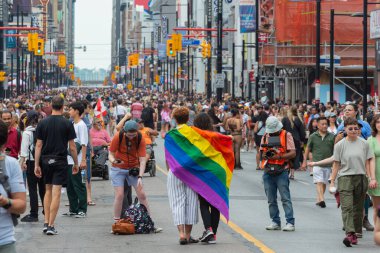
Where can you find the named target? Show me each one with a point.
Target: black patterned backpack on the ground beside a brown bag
(140, 217)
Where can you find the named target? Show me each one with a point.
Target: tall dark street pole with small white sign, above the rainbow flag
(219, 44)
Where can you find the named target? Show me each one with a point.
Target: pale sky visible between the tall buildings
(93, 20)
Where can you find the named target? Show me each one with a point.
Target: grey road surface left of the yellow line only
(92, 234)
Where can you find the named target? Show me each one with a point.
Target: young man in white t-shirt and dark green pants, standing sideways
(76, 186)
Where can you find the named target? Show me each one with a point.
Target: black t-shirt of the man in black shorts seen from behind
(55, 133)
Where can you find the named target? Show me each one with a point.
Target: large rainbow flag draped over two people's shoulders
(204, 161)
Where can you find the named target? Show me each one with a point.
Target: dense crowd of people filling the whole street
(49, 140)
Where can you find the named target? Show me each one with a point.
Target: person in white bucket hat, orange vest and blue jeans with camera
(276, 149)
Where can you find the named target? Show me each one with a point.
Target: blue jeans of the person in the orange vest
(271, 184)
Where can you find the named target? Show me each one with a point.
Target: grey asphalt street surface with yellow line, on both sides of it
(317, 230)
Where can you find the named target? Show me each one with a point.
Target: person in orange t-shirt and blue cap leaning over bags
(127, 156)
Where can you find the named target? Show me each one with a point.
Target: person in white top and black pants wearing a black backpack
(27, 163)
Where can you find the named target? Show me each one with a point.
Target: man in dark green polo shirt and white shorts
(321, 145)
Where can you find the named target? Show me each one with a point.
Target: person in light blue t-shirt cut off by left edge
(12, 194)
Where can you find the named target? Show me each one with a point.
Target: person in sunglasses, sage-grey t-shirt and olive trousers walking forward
(352, 155)
